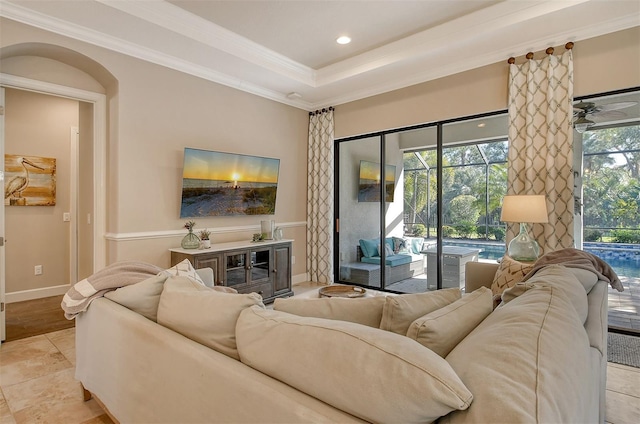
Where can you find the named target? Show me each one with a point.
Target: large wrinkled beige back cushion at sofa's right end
(528, 361)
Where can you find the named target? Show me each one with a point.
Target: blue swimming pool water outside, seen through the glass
(625, 259)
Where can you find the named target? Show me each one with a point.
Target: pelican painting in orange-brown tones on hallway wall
(29, 181)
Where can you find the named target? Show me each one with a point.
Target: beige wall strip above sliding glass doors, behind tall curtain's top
(601, 64)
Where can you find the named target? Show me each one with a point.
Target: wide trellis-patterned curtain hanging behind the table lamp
(540, 158)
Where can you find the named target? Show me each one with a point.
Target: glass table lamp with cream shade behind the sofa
(524, 209)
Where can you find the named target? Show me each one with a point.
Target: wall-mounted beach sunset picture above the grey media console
(225, 184)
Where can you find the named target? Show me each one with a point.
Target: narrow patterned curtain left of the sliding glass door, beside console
(320, 197)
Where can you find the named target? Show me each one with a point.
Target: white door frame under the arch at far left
(99, 102)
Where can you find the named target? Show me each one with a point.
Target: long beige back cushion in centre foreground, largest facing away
(375, 375)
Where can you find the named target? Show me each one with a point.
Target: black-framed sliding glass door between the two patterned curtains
(415, 205)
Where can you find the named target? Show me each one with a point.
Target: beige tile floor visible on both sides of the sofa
(37, 385)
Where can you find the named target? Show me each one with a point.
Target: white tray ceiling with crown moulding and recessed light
(274, 48)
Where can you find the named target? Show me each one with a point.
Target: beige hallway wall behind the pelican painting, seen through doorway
(39, 125)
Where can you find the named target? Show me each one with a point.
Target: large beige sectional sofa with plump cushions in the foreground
(221, 357)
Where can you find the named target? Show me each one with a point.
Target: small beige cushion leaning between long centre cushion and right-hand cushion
(442, 329)
